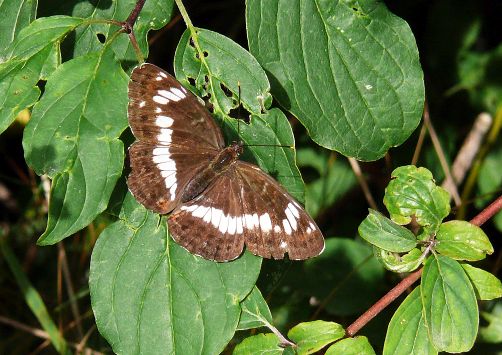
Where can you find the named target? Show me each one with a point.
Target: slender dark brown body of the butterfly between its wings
(201, 180)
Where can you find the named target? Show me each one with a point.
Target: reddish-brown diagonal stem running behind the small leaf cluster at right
(360, 322)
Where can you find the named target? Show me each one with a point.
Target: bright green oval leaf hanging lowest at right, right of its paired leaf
(450, 307)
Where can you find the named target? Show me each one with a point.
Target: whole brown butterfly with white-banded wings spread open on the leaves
(217, 203)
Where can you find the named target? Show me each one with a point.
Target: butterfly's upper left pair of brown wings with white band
(176, 138)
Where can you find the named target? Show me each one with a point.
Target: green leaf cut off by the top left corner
(16, 15)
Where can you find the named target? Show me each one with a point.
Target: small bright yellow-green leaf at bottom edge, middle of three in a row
(313, 336)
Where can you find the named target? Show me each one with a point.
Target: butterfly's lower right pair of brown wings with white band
(246, 206)
